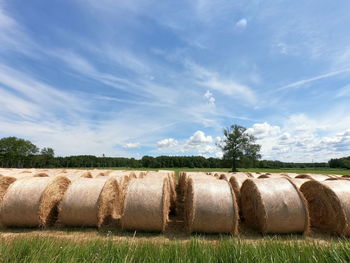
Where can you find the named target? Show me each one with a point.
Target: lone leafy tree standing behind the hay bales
(238, 145)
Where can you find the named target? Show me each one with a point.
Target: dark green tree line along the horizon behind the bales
(20, 153)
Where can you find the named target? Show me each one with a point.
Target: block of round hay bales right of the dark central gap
(266, 202)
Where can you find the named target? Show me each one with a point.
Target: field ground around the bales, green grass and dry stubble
(109, 244)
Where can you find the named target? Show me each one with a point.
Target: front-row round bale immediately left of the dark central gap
(146, 205)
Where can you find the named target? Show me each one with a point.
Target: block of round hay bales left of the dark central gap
(31, 198)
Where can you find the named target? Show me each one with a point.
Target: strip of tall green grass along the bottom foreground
(39, 249)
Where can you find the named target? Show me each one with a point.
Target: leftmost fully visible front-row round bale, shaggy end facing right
(33, 201)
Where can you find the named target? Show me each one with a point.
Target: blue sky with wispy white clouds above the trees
(143, 77)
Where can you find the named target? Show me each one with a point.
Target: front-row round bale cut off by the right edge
(329, 205)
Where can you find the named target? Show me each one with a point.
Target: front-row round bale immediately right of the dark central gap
(211, 207)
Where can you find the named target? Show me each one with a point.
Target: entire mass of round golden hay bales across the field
(212, 202)
